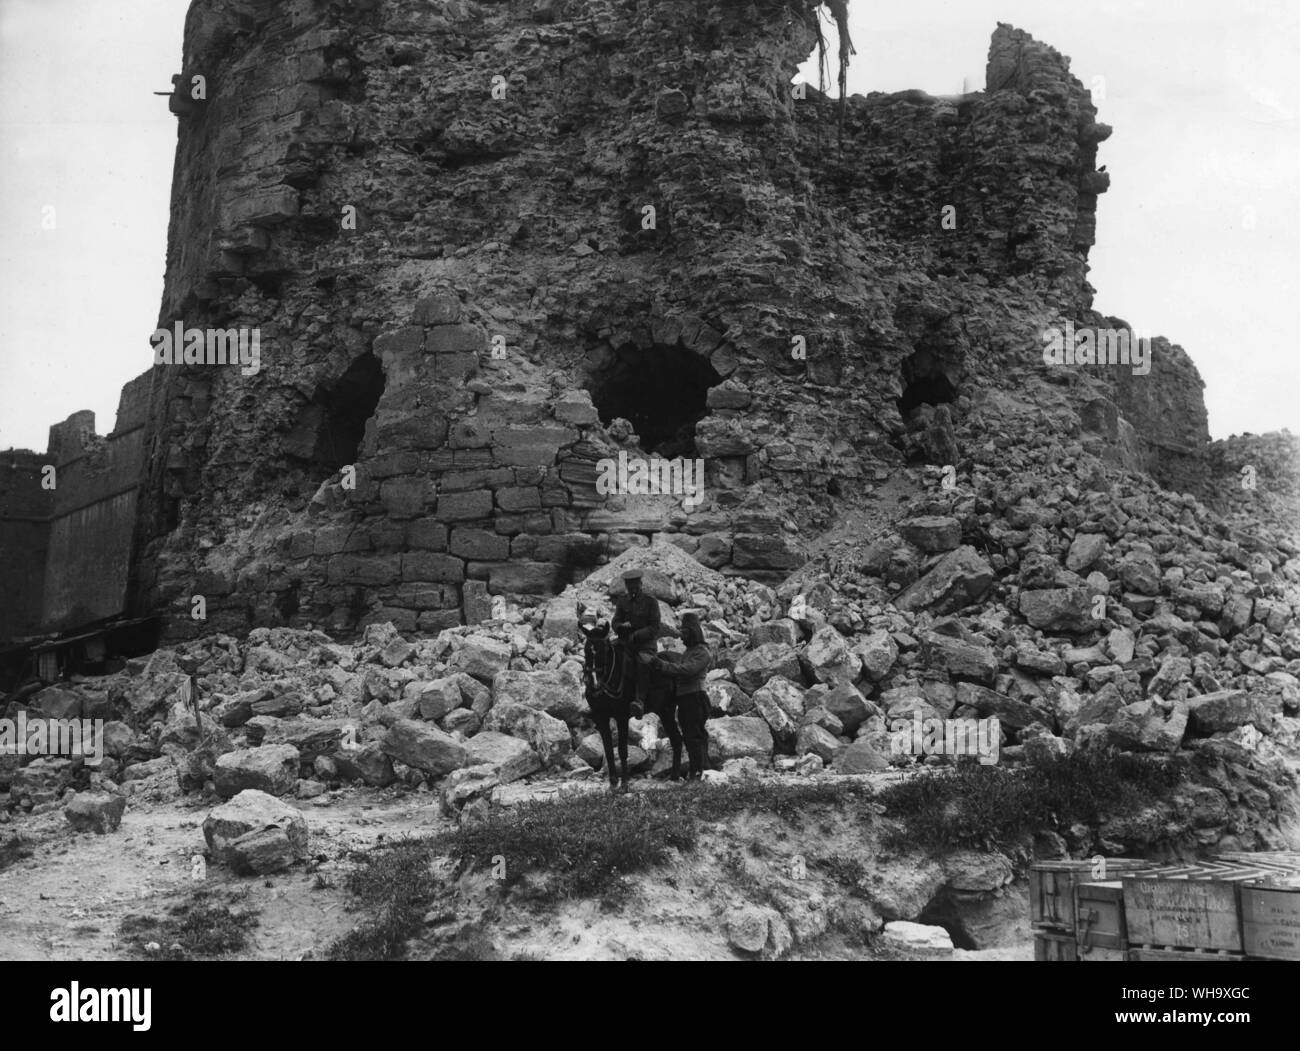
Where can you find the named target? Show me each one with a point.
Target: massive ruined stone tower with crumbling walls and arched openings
(474, 236)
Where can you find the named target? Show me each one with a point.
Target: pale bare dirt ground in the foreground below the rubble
(67, 901)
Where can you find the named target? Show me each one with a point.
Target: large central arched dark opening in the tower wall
(662, 392)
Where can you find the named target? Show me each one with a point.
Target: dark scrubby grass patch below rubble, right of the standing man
(991, 807)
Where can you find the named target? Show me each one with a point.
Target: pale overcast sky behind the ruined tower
(1199, 239)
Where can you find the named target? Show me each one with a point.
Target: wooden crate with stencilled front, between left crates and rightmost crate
(1195, 907)
